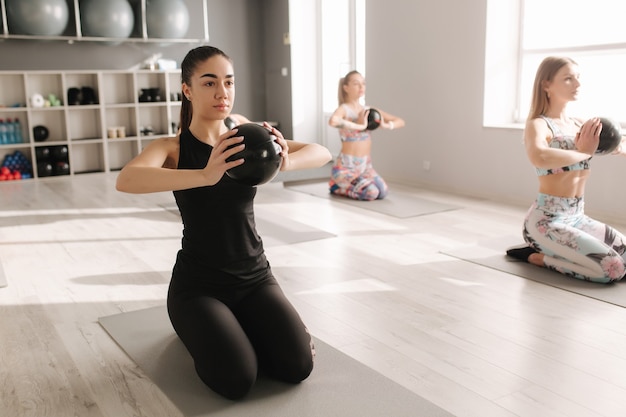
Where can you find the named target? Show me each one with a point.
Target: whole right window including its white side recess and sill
(521, 33)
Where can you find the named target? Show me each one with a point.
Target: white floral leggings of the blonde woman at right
(573, 243)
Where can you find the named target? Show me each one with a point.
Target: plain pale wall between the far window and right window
(425, 61)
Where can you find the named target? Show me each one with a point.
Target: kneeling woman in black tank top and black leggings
(223, 301)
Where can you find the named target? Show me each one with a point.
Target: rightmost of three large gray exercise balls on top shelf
(167, 19)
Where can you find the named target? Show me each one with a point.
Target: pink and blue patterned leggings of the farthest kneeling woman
(354, 177)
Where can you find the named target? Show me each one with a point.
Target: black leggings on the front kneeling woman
(230, 343)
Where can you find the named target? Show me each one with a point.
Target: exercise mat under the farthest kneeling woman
(398, 203)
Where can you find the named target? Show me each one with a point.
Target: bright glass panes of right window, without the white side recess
(592, 35)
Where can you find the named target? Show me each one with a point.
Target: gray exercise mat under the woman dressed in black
(338, 386)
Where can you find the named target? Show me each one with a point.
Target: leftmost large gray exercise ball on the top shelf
(37, 17)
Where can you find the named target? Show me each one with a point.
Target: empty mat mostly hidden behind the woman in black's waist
(276, 230)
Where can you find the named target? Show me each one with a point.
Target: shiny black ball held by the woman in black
(262, 158)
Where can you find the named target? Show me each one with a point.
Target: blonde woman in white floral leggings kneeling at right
(558, 233)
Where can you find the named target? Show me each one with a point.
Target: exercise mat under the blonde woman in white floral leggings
(492, 254)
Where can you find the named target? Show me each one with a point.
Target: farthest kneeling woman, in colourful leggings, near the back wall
(352, 174)
